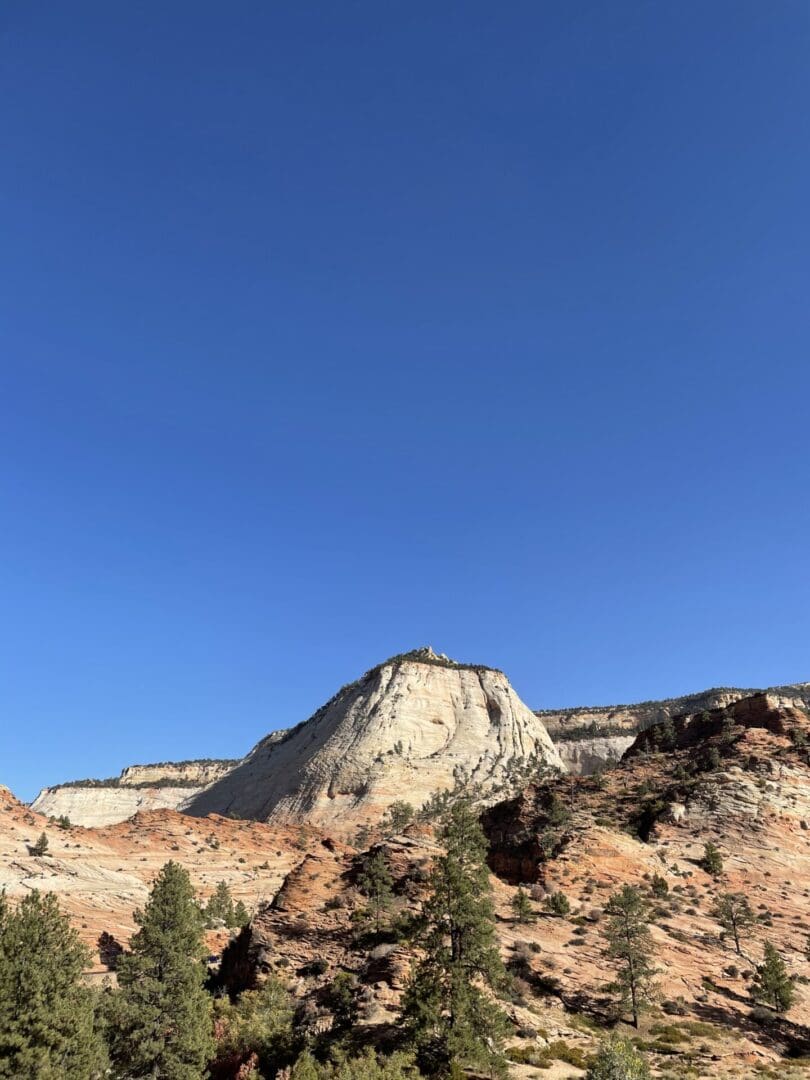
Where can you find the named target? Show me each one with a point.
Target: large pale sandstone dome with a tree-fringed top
(403, 732)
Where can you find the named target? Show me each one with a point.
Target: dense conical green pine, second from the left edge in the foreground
(163, 1025)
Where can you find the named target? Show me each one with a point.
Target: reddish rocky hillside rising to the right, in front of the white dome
(738, 777)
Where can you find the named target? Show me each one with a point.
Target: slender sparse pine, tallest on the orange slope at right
(630, 944)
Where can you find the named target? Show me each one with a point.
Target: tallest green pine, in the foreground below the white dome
(453, 1021)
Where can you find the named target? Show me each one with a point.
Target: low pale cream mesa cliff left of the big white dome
(167, 786)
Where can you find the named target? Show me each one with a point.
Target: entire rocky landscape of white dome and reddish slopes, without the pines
(295, 820)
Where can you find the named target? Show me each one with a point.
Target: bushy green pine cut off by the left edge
(48, 1025)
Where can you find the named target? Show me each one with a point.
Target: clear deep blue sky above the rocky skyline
(331, 330)
